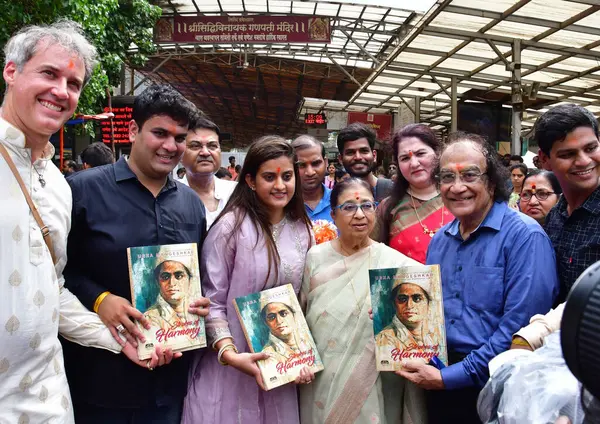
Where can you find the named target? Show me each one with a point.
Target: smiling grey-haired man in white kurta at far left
(44, 80)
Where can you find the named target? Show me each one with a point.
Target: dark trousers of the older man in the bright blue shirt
(453, 406)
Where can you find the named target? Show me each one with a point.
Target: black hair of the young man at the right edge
(556, 123)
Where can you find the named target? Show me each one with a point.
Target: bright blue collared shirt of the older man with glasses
(492, 284)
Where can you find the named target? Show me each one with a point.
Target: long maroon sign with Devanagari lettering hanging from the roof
(243, 29)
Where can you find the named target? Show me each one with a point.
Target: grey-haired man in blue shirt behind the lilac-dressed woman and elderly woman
(312, 165)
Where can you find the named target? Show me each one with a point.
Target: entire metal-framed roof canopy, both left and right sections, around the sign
(388, 54)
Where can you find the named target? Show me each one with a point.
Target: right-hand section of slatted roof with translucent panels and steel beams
(472, 41)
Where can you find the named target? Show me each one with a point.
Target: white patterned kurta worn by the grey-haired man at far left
(34, 306)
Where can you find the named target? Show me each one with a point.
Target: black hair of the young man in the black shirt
(163, 100)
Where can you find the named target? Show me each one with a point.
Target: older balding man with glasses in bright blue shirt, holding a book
(498, 270)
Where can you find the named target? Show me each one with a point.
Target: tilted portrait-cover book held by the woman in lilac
(274, 323)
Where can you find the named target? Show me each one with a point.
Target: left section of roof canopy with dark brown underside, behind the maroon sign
(254, 89)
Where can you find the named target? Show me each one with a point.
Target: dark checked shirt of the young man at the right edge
(576, 239)
